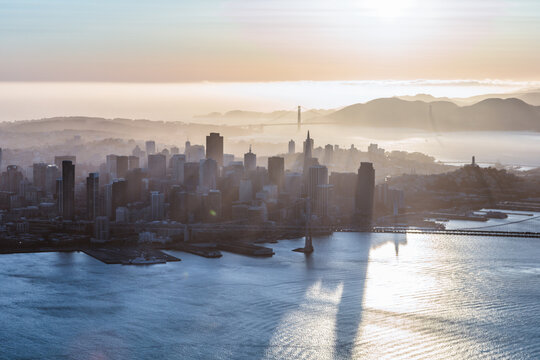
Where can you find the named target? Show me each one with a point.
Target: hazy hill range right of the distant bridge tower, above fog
(486, 115)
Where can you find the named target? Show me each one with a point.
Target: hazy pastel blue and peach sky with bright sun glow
(260, 40)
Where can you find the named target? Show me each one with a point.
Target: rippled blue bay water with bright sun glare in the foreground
(367, 296)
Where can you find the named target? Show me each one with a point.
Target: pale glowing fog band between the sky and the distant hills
(180, 101)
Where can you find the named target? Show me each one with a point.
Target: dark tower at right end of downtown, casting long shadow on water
(365, 190)
